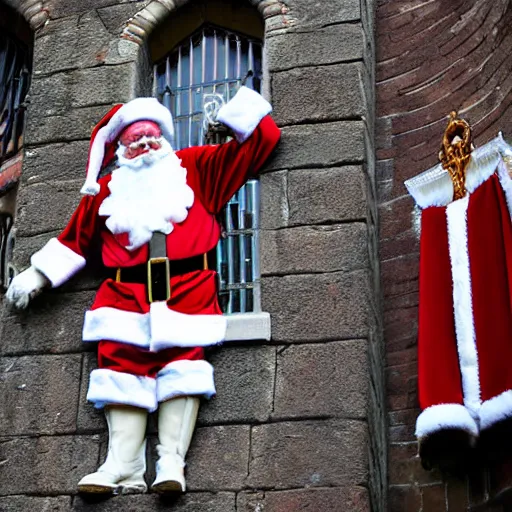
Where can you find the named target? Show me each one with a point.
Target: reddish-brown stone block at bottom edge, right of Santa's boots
(353, 499)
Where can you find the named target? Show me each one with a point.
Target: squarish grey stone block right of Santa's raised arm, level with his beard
(326, 195)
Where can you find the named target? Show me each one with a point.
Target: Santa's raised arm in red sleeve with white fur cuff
(224, 168)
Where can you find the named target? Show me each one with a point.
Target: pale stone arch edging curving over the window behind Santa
(138, 29)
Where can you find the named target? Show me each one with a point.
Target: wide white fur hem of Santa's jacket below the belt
(160, 328)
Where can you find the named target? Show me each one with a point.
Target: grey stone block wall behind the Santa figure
(289, 429)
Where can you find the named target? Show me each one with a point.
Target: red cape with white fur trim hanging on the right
(465, 315)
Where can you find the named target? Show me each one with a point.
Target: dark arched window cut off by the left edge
(15, 70)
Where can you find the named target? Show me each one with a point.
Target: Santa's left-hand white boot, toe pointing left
(124, 468)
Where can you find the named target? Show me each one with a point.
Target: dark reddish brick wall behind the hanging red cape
(432, 57)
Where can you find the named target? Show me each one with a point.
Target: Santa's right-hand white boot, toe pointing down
(176, 421)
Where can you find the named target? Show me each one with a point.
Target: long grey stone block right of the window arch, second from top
(328, 45)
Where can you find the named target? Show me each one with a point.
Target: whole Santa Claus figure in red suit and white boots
(154, 218)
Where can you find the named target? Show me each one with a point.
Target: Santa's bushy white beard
(148, 193)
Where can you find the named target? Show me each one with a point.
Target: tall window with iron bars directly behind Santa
(216, 61)
